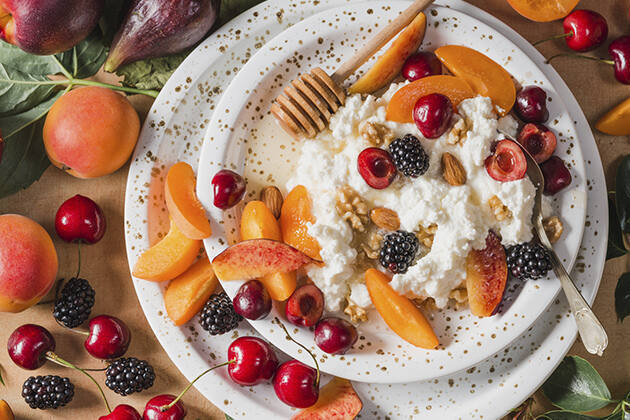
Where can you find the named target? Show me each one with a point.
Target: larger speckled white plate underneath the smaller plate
(174, 130)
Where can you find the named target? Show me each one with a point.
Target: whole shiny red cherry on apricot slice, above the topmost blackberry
(432, 115)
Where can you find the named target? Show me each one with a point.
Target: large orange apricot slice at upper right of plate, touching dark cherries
(484, 76)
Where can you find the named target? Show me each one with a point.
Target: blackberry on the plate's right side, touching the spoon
(528, 261)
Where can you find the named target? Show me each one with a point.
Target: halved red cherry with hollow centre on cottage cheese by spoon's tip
(507, 163)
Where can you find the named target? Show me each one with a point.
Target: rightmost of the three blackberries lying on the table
(127, 375)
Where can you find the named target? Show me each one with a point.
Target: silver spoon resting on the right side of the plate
(591, 330)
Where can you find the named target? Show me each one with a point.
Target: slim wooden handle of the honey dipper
(380, 39)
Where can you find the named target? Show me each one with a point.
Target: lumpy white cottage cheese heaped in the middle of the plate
(461, 213)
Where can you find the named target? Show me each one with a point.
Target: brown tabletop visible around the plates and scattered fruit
(105, 264)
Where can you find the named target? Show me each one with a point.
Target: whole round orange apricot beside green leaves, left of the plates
(91, 132)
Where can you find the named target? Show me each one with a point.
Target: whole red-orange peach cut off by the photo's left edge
(28, 263)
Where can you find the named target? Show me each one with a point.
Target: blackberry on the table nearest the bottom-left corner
(50, 391)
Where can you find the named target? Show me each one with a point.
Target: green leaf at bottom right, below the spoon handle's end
(576, 386)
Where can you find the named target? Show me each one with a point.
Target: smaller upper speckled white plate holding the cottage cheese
(241, 132)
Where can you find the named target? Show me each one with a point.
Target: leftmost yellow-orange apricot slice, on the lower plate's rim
(168, 258)
